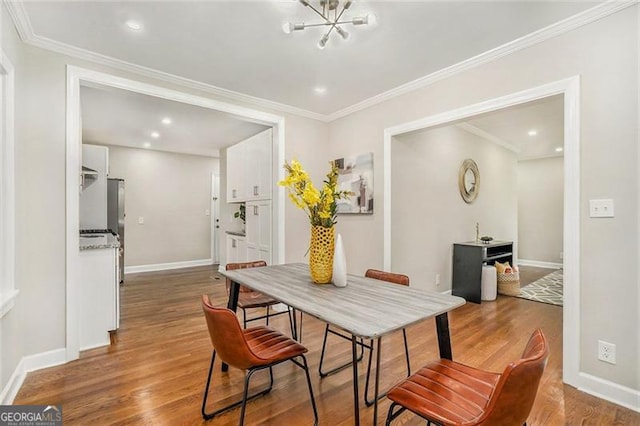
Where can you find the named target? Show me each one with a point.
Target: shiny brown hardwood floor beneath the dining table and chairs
(155, 370)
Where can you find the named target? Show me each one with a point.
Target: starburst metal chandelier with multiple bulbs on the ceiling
(331, 12)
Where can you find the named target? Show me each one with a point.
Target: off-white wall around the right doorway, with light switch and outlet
(605, 56)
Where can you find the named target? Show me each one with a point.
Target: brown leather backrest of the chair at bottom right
(516, 390)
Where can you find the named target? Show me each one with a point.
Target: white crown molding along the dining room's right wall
(588, 16)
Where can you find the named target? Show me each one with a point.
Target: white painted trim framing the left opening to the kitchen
(77, 76)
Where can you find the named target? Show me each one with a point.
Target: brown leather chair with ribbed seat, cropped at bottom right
(448, 393)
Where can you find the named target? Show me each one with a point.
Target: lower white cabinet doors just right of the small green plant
(258, 229)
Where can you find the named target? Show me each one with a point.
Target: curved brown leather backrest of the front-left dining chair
(227, 337)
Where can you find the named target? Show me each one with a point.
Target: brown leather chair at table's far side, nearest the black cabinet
(382, 276)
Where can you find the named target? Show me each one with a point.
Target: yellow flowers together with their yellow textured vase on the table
(320, 205)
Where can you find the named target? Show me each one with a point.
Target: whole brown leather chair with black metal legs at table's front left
(251, 349)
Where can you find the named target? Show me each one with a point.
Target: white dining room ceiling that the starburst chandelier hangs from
(239, 46)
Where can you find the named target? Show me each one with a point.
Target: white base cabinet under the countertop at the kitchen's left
(99, 296)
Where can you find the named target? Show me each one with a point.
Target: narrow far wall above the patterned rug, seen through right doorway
(540, 209)
